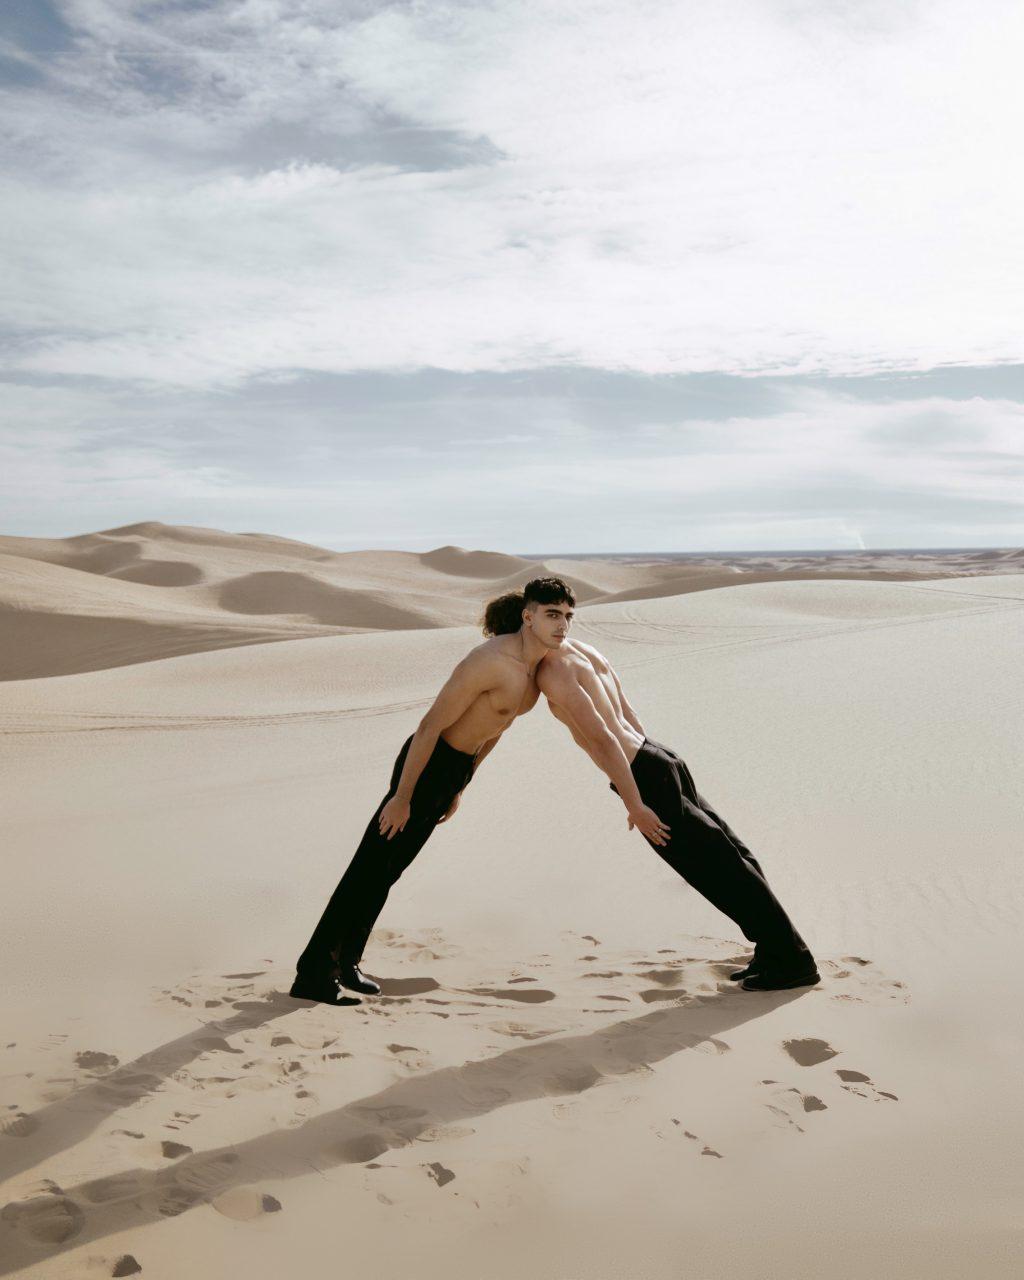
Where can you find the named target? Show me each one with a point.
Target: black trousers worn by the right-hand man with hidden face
(706, 852)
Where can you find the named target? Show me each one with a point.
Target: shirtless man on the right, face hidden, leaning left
(662, 803)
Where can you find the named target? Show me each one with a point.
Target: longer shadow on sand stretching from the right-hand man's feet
(61, 1220)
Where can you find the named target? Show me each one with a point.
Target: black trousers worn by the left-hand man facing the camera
(377, 865)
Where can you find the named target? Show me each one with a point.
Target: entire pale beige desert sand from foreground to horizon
(559, 1081)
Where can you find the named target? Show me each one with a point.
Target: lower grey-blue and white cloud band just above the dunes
(523, 464)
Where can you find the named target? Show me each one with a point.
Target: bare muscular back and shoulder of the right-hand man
(579, 669)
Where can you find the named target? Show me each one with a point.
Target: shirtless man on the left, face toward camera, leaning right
(492, 685)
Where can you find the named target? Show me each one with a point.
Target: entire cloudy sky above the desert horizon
(570, 276)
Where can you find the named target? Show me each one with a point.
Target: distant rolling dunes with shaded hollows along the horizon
(150, 591)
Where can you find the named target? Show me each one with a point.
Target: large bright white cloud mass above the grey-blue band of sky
(205, 194)
